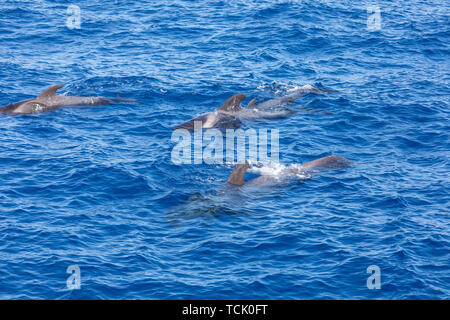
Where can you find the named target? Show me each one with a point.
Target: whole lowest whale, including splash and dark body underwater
(231, 197)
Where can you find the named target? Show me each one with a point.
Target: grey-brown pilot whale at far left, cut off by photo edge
(48, 100)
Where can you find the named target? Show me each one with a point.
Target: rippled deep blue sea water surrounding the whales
(96, 187)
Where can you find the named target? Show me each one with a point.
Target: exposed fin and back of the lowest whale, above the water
(236, 177)
